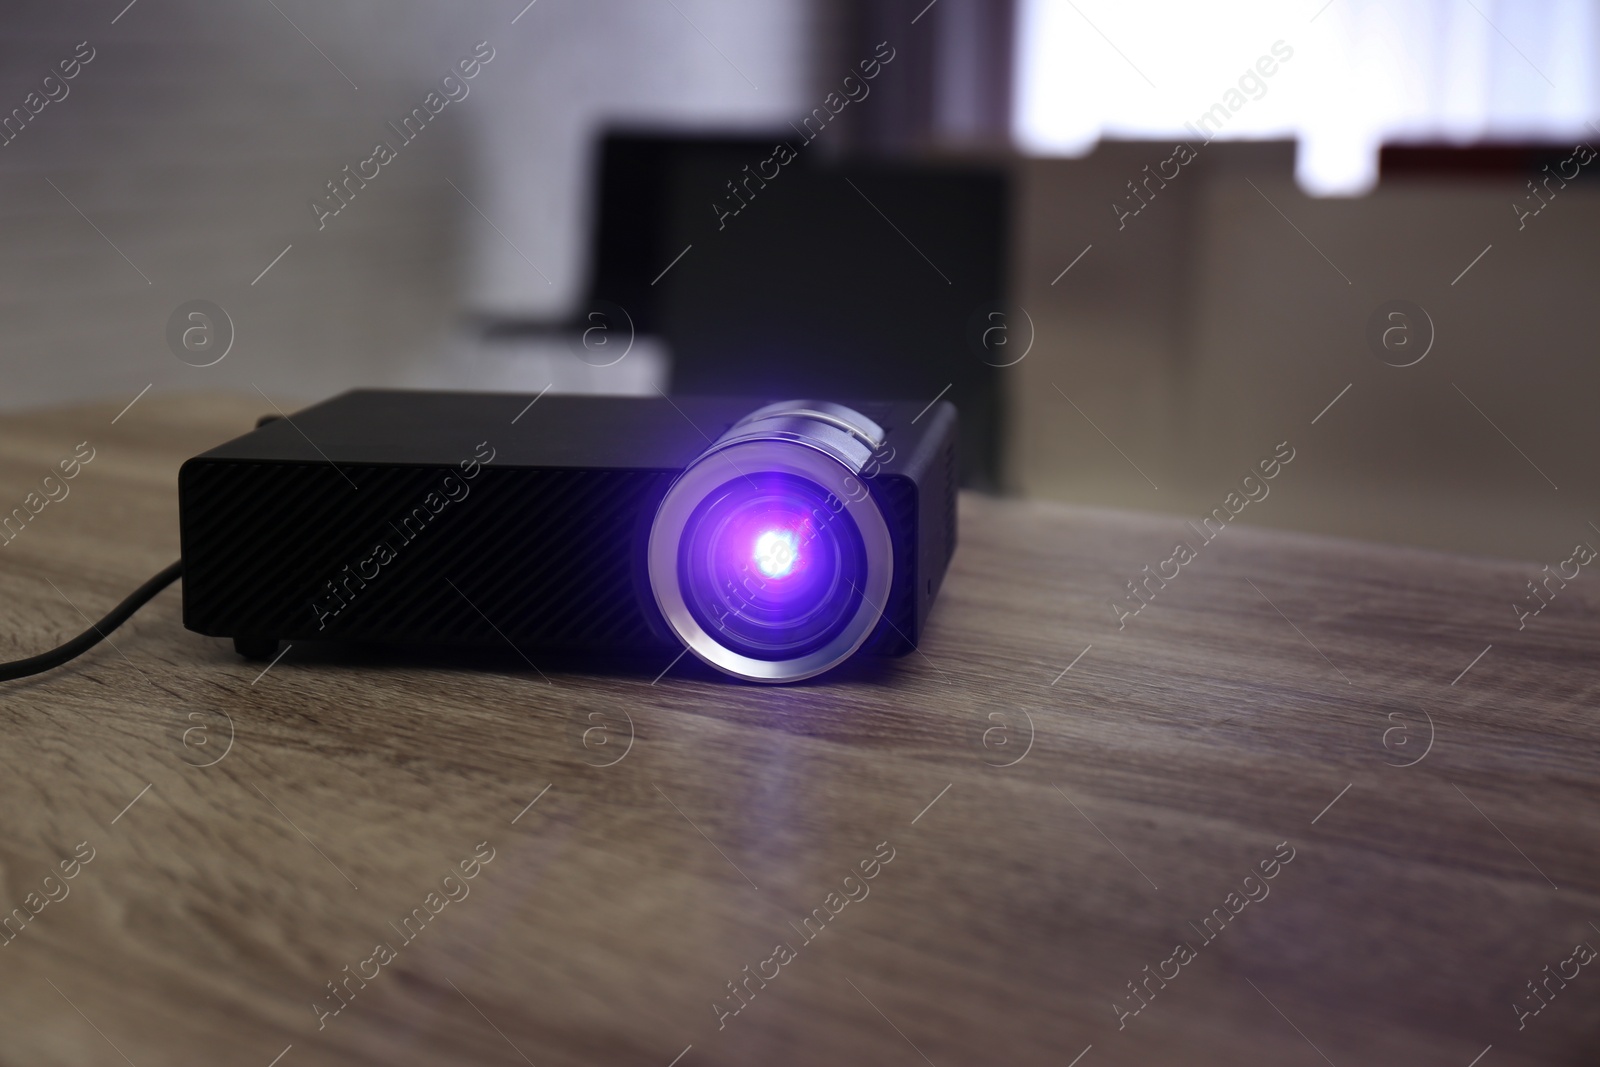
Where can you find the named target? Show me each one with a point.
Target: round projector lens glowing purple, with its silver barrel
(769, 556)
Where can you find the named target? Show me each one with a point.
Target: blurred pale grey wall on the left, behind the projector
(185, 158)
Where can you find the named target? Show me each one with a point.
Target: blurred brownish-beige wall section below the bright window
(1207, 329)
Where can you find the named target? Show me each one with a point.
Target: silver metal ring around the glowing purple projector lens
(788, 454)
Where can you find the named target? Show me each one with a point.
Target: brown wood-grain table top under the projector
(1052, 833)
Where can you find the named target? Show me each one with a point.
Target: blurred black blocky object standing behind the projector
(809, 290)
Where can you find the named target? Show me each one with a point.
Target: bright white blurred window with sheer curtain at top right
(1343, 78)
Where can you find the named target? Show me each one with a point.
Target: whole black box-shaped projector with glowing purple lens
(490, 519)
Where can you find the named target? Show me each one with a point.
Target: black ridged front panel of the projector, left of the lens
(538, 557)
